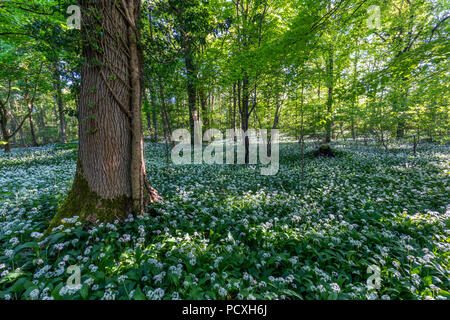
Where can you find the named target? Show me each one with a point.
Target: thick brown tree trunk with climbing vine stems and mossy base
(110, 177)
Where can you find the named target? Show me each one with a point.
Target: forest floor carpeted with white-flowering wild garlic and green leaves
(227, 232)
